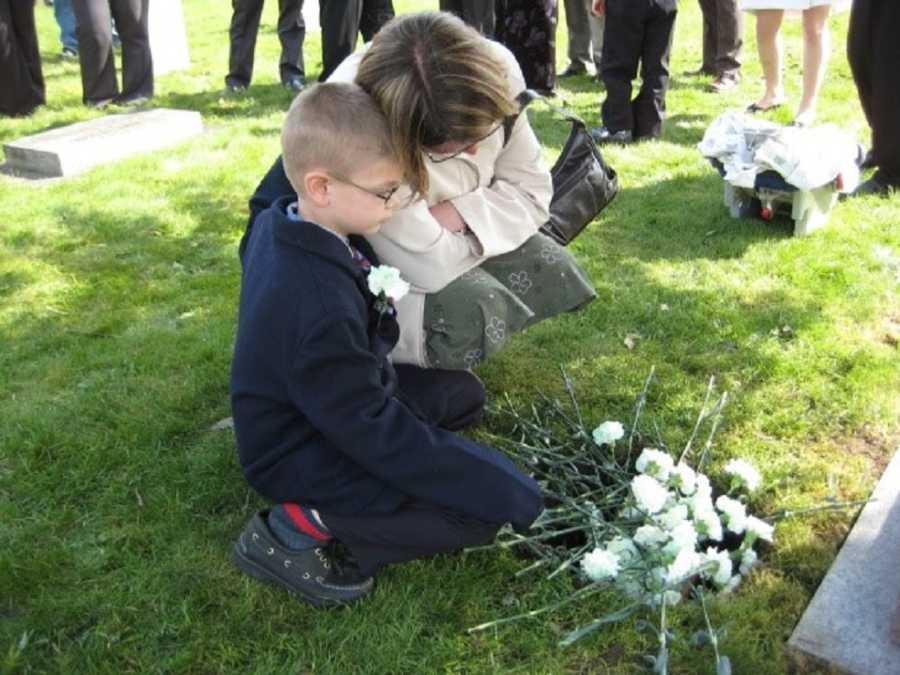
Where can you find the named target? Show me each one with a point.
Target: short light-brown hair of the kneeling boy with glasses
(335, 126)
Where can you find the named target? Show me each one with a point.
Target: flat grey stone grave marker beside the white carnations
(853, 621)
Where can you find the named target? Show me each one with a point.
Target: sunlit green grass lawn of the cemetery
(118, 294)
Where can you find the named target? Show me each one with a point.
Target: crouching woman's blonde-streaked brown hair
(437, 81)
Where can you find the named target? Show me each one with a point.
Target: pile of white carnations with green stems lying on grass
(628, 514)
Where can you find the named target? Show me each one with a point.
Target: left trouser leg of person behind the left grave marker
(95, 50)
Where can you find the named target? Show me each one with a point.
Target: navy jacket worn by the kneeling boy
(312, 393)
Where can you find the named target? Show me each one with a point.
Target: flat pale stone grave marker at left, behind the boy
(72, 149)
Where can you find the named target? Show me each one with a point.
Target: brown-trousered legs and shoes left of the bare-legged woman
(723, 31)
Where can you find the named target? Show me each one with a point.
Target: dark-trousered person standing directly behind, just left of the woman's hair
(342, 20)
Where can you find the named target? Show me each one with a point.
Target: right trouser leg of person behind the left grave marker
(137, 63)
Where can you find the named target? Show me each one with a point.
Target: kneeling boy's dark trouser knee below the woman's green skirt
(452, 399)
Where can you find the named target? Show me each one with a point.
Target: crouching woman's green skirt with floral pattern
(474, 315)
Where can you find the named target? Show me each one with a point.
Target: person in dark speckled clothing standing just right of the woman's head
(528, 29)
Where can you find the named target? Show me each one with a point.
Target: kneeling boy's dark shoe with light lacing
(312, 574)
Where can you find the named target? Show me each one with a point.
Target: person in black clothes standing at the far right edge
(873, 50)
